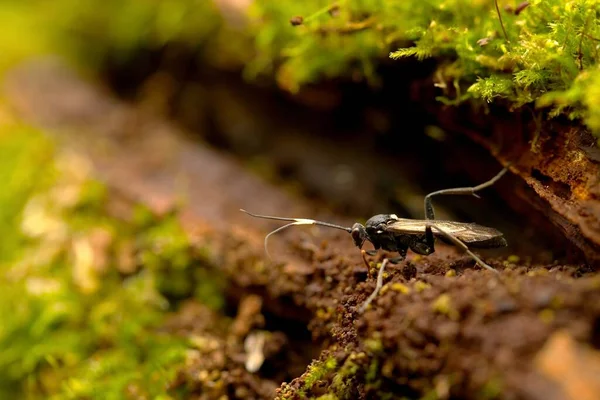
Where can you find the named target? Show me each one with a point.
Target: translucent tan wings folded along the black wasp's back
(465, 232)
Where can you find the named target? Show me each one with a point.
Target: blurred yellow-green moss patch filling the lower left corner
(79, 321)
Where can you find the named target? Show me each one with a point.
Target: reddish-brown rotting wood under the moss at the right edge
(552, 157)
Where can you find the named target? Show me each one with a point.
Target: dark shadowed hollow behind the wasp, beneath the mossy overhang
(347, 146)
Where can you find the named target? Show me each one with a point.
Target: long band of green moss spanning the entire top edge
(544, 55)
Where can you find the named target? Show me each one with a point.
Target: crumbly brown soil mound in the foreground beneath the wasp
(460, 334)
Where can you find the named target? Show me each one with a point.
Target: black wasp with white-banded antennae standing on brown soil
(388, 232)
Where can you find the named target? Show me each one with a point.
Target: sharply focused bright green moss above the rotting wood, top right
(548, 54)
